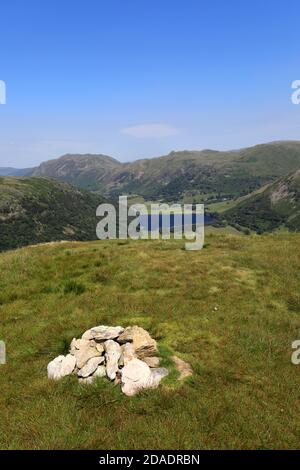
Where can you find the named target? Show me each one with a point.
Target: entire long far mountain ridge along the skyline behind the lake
(212, 174)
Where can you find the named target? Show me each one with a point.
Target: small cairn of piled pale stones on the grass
(126, 356)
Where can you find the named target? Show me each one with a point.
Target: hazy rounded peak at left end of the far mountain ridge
(88, 171)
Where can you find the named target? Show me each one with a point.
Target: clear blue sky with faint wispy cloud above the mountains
(139, 78)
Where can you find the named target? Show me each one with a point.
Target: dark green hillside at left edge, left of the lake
(35, 210)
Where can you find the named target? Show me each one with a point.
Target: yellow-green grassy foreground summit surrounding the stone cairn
(231, 310)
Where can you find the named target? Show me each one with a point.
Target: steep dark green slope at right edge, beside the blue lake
(275, 206)
